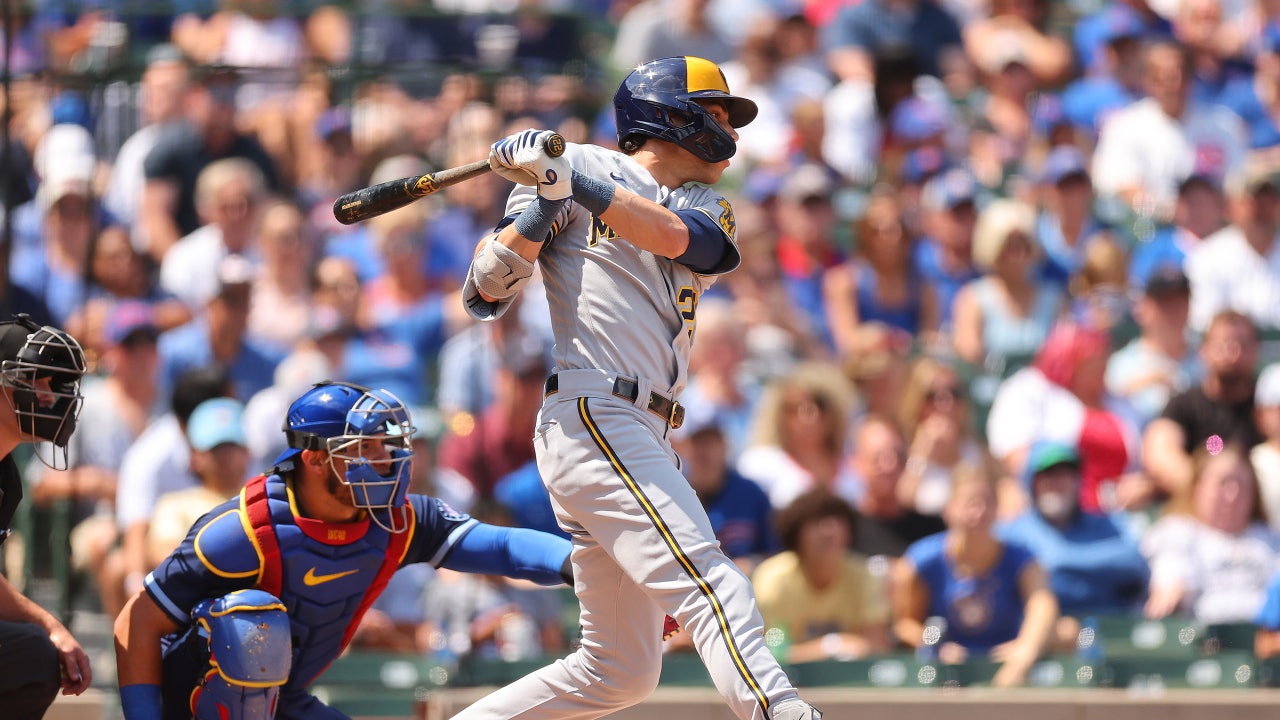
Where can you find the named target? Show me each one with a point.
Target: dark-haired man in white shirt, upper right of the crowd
(1149, 148)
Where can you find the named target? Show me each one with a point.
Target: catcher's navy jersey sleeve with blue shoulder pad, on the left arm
(217, 557)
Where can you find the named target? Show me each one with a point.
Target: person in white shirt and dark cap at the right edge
(1238, 268)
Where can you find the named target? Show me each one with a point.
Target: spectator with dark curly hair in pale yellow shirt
(819, 591)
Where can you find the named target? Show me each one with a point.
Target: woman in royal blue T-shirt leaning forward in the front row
(991, 596)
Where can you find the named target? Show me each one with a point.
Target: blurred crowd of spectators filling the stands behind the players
(996, 361)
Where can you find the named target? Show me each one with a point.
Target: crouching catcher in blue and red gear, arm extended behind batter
(269, 589)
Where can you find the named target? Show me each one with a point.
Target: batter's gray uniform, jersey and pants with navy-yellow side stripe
(643, 545)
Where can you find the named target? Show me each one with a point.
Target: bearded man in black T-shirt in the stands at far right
(1220, 405)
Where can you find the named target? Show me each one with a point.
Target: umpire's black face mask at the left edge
(42, 370)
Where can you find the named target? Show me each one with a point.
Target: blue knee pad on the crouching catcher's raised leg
(250, 657)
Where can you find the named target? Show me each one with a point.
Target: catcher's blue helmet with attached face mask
(371, 432)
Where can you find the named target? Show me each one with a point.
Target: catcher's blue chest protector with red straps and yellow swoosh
(327, 575)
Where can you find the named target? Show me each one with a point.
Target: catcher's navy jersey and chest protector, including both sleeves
(327, 575)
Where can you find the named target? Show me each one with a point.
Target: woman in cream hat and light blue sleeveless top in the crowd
(1005, 313)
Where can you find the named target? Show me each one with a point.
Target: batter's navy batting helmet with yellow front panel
(659, 99)
